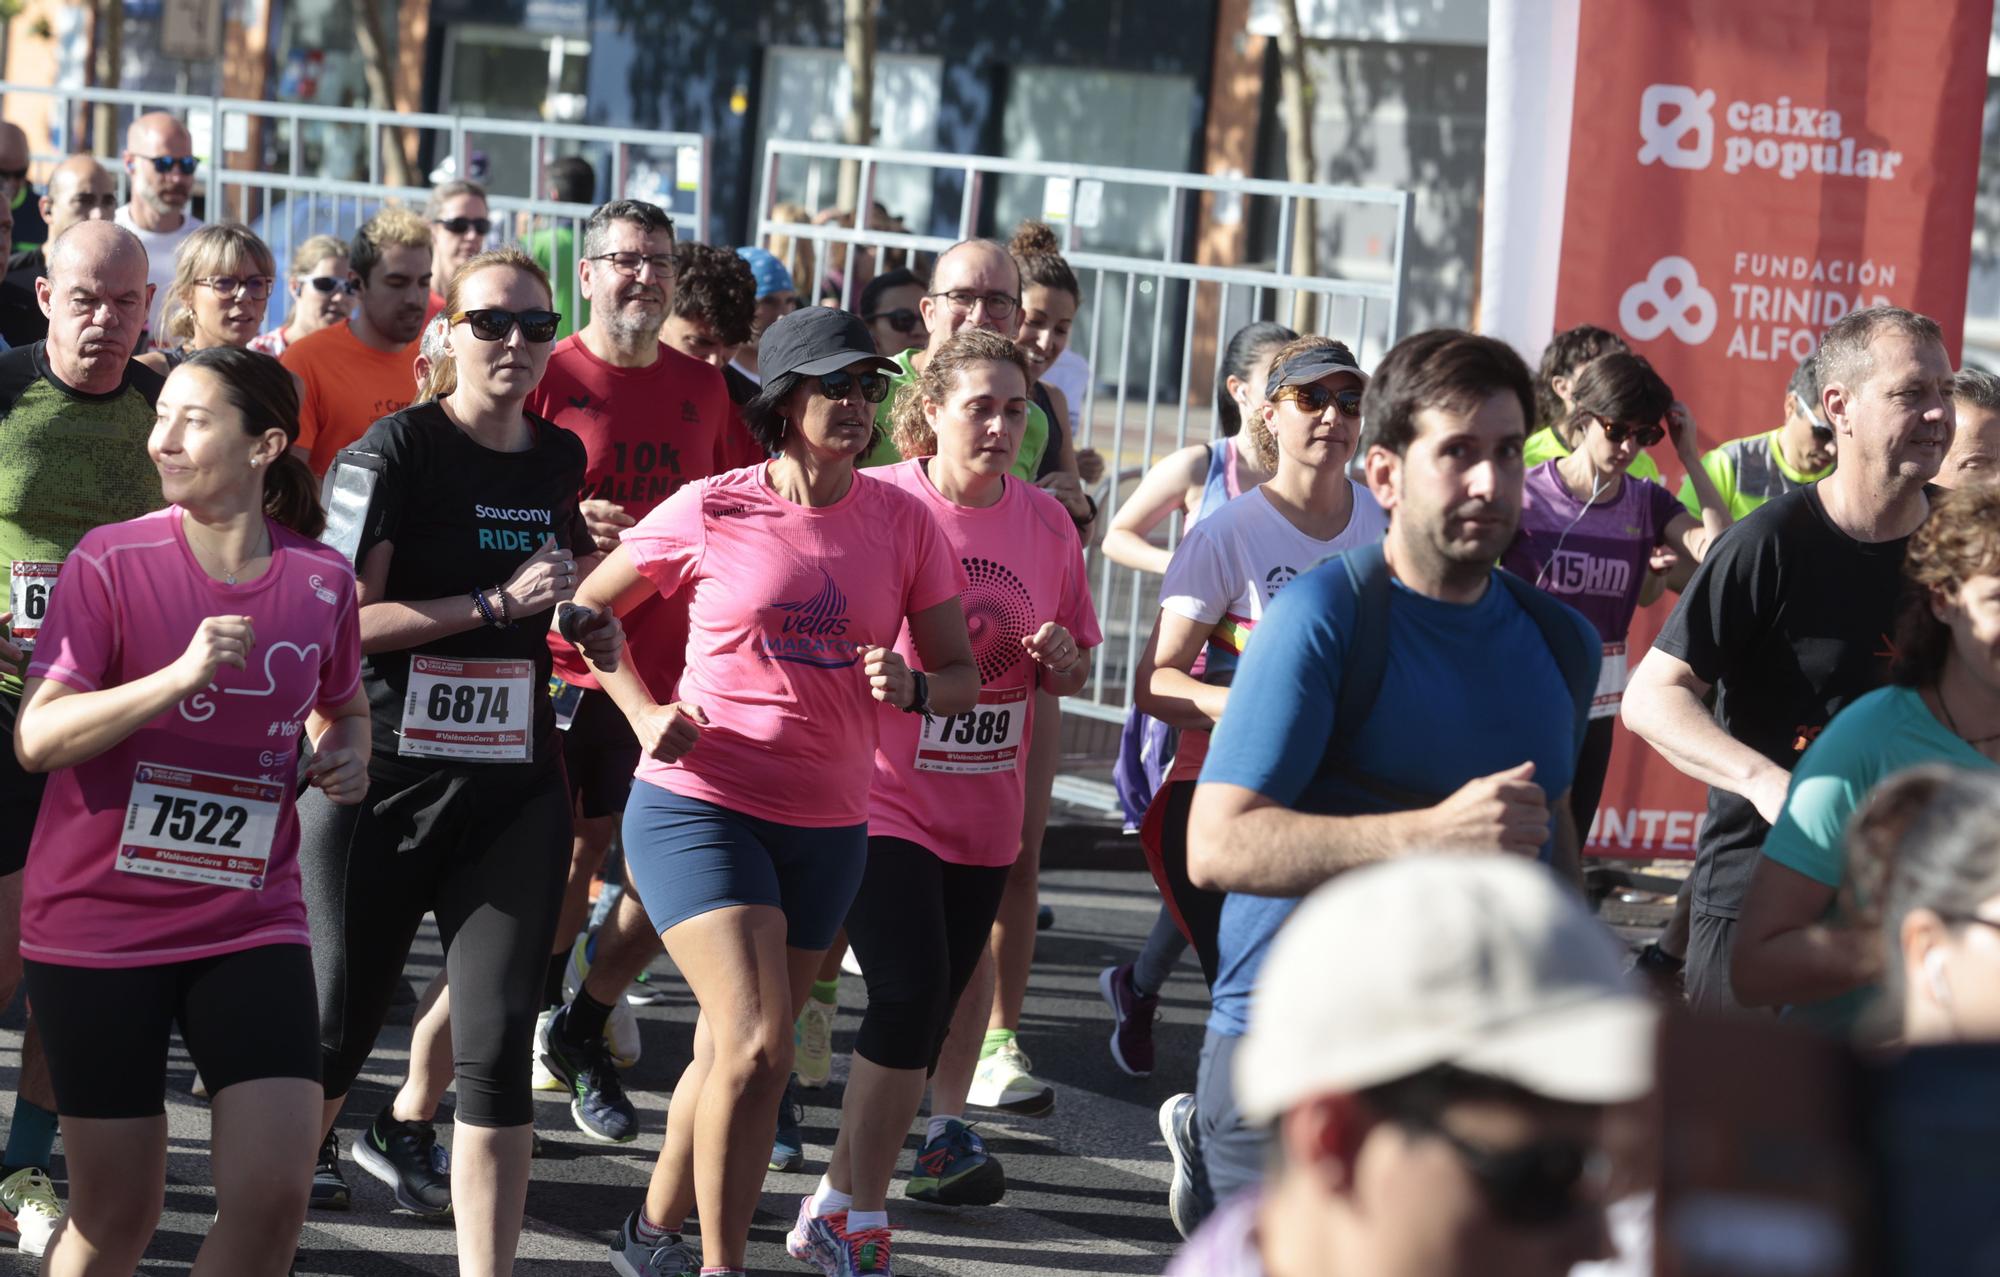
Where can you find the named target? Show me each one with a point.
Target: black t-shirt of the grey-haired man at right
(1791, 619)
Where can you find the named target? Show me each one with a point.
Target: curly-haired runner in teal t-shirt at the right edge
(1801, 944)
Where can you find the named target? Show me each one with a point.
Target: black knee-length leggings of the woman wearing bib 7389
(919, 928)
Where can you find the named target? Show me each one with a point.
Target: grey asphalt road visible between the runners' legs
(1087, 1186)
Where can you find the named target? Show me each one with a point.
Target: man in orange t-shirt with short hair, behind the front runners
(359, 373)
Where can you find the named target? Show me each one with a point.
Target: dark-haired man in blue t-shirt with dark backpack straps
(1399, 700)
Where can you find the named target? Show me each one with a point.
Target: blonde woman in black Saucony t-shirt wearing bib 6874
(465, 533)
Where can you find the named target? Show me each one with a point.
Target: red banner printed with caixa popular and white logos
(1743, 173)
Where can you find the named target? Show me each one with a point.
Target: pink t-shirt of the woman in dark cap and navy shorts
(781, 603)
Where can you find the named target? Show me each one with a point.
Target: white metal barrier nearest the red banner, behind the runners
(1153, 323)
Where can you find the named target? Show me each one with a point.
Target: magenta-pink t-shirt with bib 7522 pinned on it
(181, 842)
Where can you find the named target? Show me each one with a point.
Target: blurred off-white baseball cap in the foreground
(1485, 964)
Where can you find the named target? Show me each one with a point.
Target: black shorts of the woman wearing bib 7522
(245, 1016)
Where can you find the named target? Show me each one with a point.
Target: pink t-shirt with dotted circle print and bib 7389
(957, 784)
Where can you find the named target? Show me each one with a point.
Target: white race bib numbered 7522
(199, 828)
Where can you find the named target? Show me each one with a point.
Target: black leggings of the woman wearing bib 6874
(489, 862)
